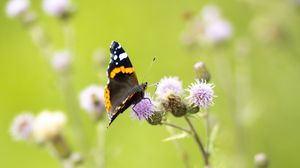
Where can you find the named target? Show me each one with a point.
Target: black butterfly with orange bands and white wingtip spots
(122, 89)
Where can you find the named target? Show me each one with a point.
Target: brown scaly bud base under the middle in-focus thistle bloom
(174, 104)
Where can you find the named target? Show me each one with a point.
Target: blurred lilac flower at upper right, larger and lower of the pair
(217, 31)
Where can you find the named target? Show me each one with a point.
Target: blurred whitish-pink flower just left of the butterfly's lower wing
(92, 99)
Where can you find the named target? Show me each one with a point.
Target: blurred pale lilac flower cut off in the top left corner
(16, 7)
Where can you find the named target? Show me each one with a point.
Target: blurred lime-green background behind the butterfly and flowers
(257, 104)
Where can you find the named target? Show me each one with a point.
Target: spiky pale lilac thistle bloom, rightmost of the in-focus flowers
(201, 94)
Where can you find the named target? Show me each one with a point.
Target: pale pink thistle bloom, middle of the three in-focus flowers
(169, 84)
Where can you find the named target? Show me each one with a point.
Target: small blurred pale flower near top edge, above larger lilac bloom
(210, 13)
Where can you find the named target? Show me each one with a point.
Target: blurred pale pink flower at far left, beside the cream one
(21, 128)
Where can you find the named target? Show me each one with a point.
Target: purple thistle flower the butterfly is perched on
(143, 109)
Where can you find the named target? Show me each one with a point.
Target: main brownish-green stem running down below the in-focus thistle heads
(198, 141)
